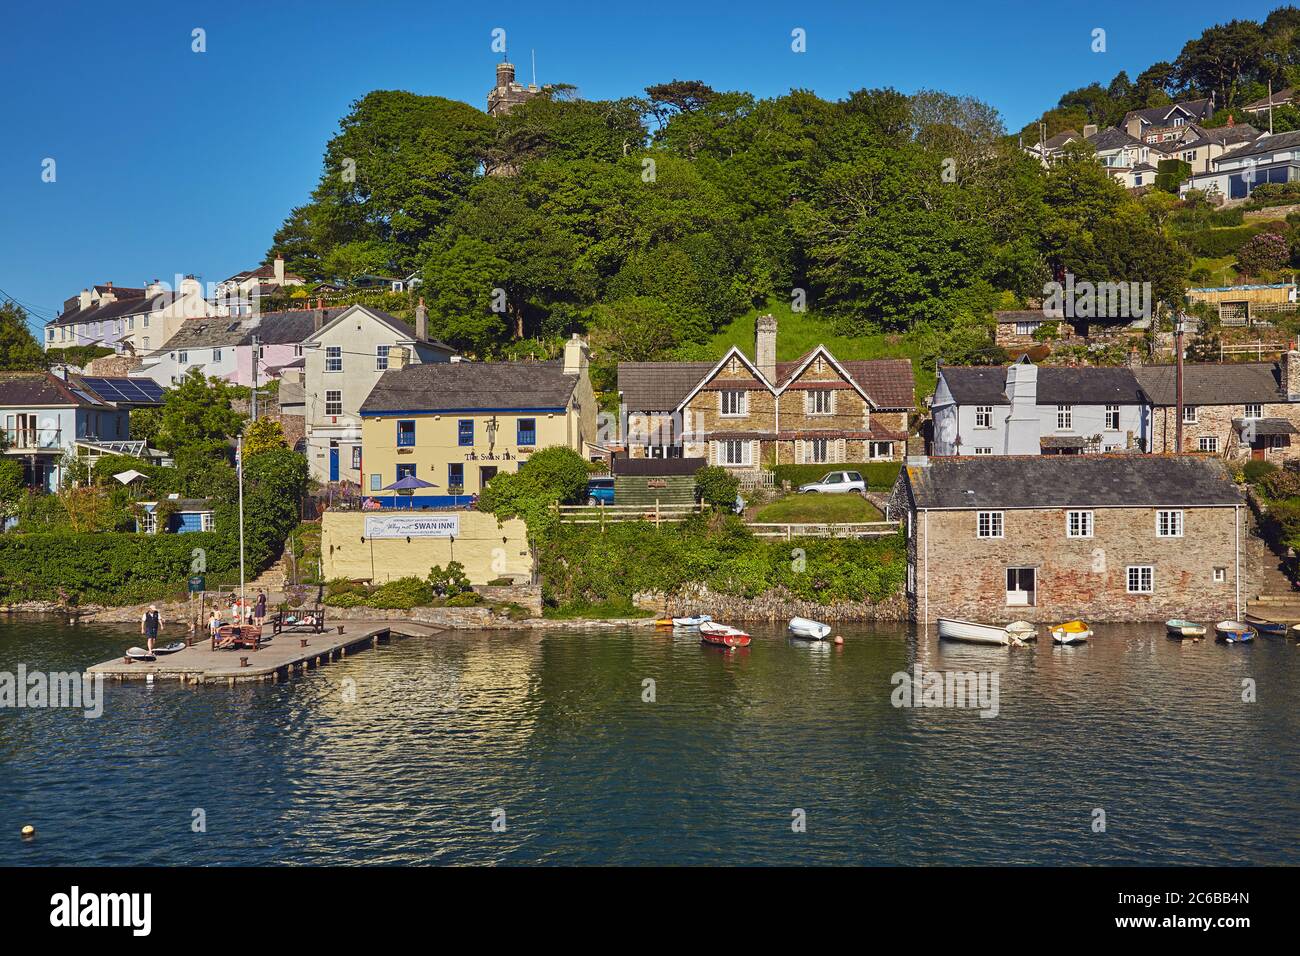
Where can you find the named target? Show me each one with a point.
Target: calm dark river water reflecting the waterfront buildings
(402, 755)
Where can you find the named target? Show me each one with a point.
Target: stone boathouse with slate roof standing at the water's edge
(1051, 539)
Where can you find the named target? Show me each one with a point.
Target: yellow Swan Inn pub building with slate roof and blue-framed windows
(457, 425)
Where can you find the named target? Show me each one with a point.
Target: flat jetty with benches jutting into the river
(279, 660)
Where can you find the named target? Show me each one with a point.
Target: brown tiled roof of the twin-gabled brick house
(664, 386)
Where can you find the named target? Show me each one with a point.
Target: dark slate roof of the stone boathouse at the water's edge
(1052, 482)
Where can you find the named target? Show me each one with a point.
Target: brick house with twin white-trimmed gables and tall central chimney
(744, 414)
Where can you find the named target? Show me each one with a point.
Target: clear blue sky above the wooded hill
(174, 162)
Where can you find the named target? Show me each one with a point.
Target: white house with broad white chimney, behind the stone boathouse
(1025, 410)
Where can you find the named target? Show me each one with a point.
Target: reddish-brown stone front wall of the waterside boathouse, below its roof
(1081, 578)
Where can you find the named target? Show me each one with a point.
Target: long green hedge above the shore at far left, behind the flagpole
(109, 568)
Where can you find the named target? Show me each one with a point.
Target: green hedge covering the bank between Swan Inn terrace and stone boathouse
(583, 566)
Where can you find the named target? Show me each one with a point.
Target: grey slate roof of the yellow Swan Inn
(470, 387)
